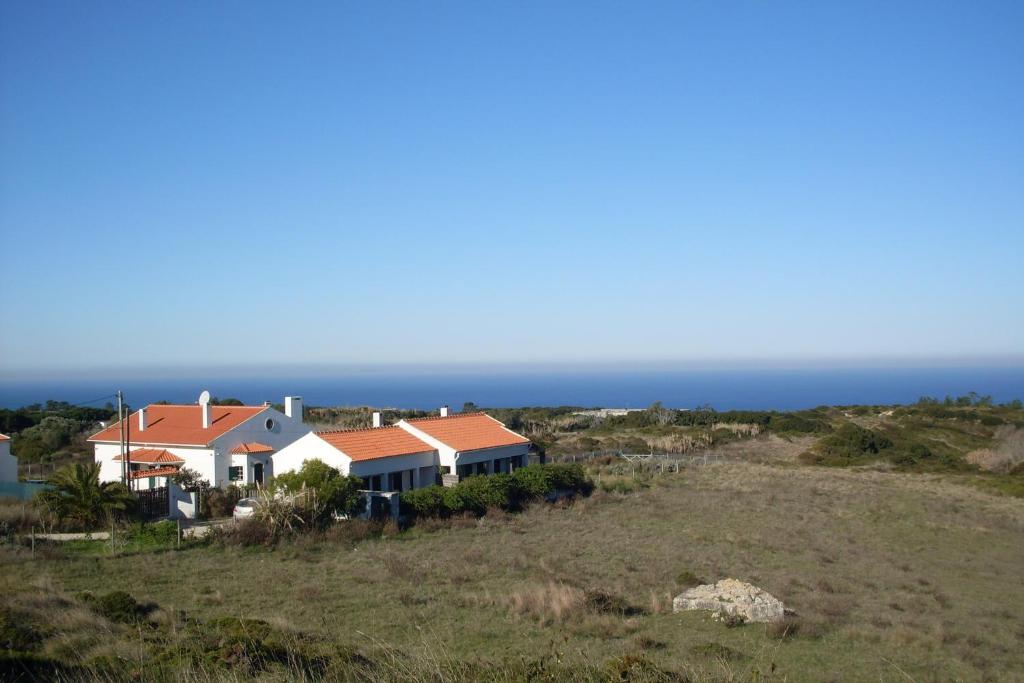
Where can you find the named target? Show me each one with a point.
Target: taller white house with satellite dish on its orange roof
(224, 444)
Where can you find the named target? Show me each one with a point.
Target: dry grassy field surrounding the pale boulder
(893, 577)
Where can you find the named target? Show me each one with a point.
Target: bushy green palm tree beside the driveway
(78, 496)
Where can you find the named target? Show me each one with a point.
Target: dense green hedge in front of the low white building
(507, 492)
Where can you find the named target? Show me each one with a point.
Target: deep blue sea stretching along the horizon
(723, 390)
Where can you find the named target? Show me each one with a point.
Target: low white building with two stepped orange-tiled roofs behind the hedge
(413, 454)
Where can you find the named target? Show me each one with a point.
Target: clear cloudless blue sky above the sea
(237, 183)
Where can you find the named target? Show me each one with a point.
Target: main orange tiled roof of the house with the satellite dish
(182, 425)
